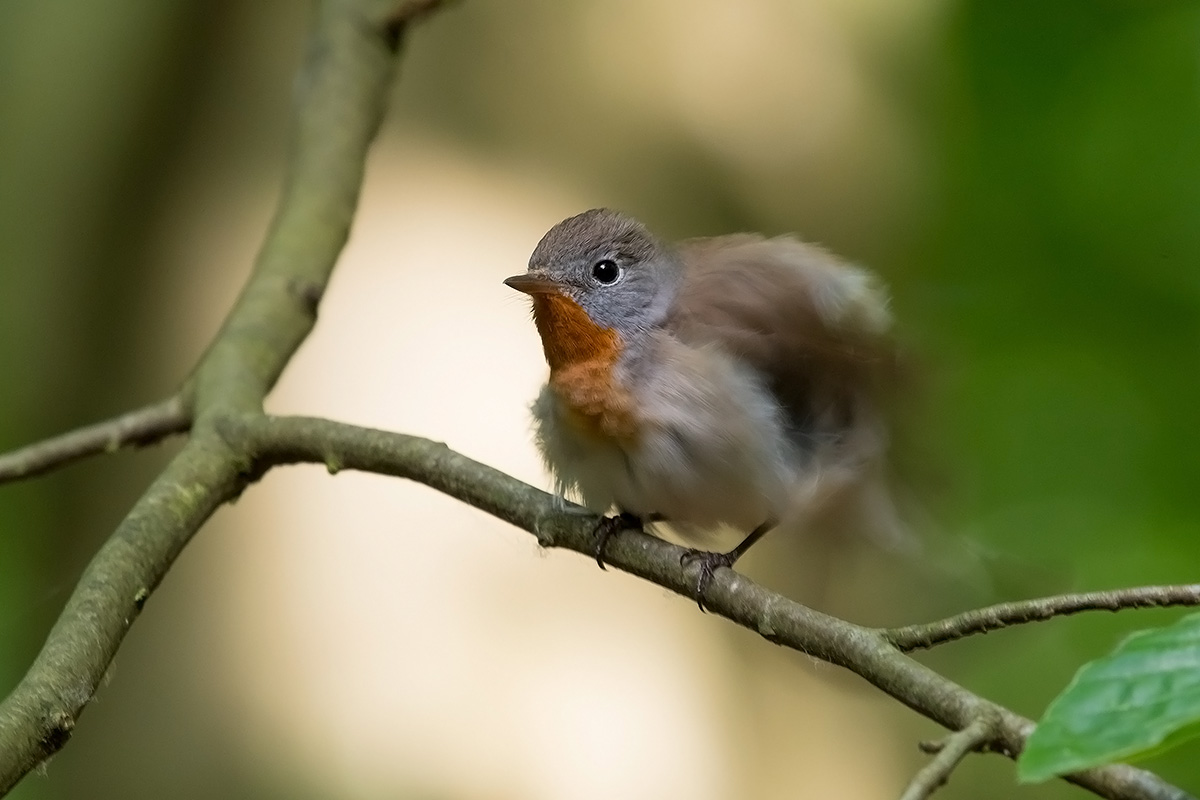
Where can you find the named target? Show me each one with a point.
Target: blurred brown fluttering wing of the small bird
(817, 328)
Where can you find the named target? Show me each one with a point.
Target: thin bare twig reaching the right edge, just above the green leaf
(981, 621)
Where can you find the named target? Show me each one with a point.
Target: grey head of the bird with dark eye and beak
(610, 266)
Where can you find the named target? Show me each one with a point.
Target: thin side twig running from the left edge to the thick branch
(140, 428)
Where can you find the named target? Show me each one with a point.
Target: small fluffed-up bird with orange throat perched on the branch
(727, 382)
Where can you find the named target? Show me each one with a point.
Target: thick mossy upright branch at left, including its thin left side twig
(341, 95)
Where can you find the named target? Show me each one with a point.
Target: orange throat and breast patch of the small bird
(583, 359)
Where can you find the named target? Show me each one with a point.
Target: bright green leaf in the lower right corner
(1141, 700)
